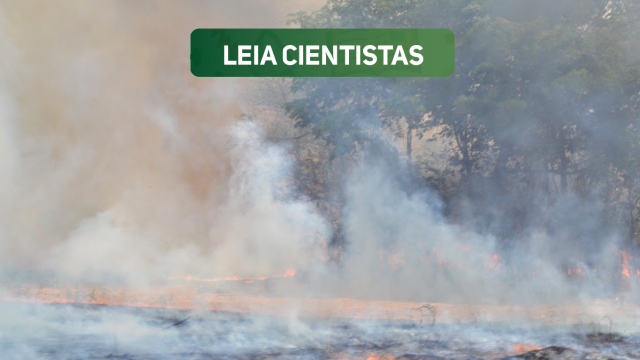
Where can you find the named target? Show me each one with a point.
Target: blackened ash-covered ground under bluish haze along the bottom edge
(40, 331)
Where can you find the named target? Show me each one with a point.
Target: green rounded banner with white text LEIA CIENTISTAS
(322, 52)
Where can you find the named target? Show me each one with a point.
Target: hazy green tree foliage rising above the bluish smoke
(544, 92)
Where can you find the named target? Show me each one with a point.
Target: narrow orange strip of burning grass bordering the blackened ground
(600, 314)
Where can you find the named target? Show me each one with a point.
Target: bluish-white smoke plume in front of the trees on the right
(400, 246)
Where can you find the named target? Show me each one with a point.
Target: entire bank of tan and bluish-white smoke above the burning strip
(116, 167)
